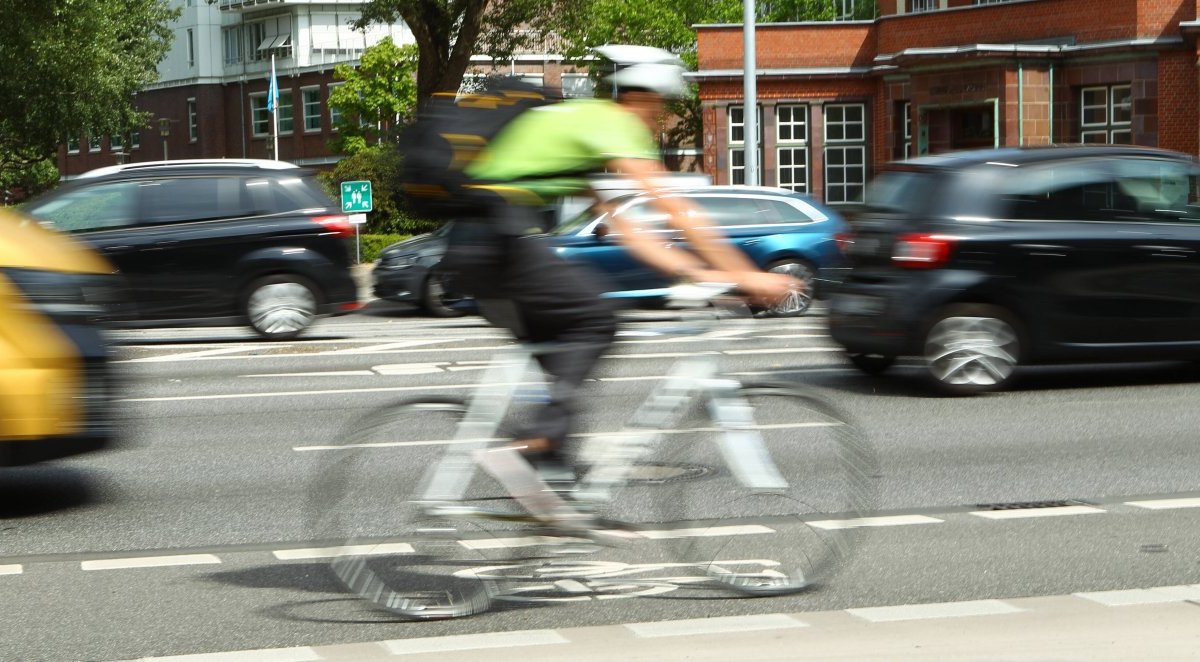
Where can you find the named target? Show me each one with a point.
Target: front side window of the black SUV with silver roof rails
(91, 208)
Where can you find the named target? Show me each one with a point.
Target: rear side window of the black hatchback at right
(1067, 191)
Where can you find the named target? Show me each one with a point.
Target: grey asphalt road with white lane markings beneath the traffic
(172, 545)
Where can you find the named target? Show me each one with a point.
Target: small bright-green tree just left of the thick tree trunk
(379, 99)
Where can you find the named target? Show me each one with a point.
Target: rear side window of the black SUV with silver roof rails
(167, 201)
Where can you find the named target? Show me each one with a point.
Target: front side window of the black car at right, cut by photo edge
(1161, 190)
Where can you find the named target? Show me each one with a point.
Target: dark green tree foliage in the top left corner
(73, 68)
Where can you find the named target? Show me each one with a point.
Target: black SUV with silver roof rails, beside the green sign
(207, 243)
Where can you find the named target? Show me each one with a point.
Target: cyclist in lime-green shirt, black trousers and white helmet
(523, 286)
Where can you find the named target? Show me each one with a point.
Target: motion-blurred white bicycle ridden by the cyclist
(664, 511)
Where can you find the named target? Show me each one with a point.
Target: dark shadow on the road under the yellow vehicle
(45, 489)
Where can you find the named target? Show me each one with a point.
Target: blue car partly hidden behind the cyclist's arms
(779, 230)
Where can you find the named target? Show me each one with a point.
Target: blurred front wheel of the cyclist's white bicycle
(767, 541)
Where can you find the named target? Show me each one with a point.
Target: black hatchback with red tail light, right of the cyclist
(986, 261)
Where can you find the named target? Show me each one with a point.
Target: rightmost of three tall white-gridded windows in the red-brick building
(845, 155)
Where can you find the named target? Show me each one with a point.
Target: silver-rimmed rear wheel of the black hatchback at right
(971, 350)
